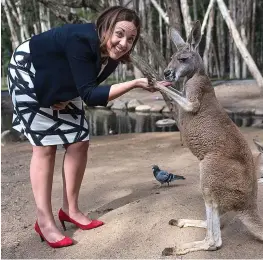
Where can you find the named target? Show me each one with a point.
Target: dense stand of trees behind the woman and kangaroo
(23, 18)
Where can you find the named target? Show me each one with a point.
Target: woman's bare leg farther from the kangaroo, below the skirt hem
(41, 175)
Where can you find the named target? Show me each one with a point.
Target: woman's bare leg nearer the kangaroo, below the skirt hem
(75, 160)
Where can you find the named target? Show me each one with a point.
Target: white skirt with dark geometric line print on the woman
(42, 126)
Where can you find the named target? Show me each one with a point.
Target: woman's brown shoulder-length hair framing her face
(106, 23)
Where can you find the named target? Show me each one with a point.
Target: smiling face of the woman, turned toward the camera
(122, 39)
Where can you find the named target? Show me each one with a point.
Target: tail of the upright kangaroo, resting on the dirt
(252, 220)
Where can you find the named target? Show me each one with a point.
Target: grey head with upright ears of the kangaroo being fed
(186, 61)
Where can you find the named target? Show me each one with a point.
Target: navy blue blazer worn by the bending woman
(67, 60)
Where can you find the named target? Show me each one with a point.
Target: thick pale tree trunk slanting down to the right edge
(240, 45)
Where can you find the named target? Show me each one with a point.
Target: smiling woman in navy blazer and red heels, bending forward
(49, 76)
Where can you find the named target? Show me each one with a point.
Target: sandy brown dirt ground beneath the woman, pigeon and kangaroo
(120, 189)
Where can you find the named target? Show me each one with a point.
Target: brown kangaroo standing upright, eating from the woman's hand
(227, 170)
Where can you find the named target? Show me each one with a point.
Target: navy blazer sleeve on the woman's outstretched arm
(82, 61)
